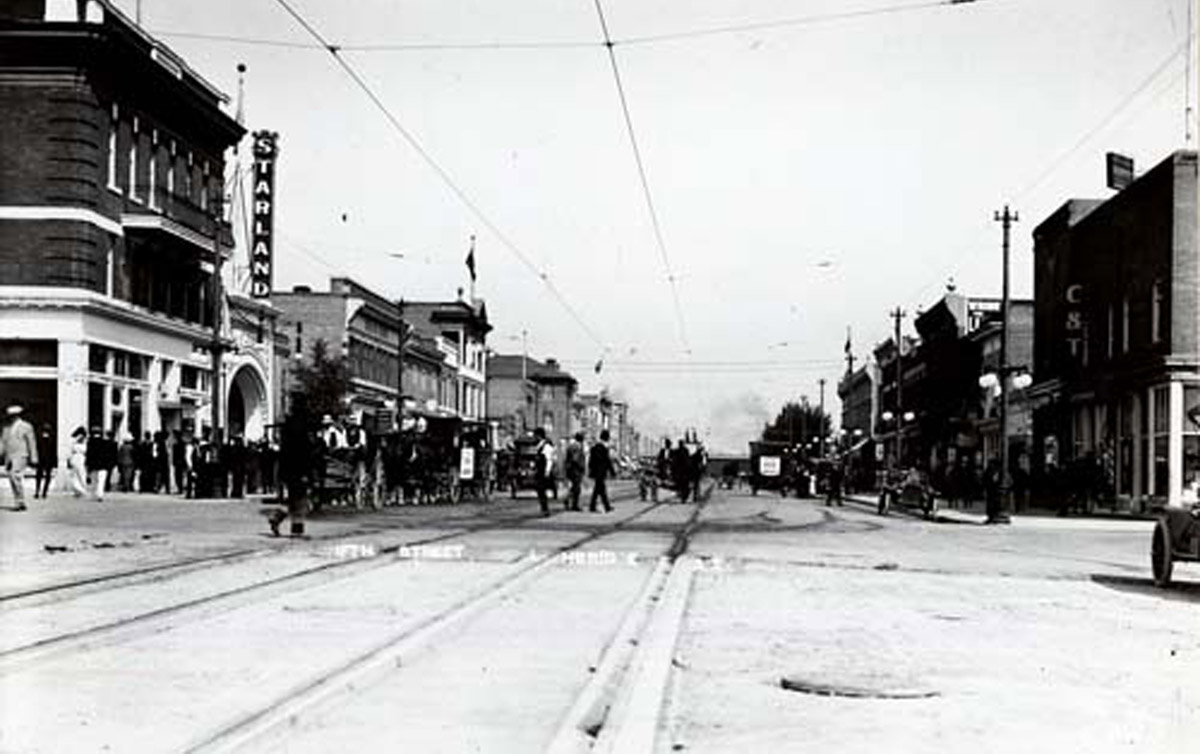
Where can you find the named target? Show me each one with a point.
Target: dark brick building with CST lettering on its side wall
(1118, 349)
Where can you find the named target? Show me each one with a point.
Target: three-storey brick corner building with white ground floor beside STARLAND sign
(113, 152)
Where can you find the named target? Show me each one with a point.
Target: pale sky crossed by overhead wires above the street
(812, 166)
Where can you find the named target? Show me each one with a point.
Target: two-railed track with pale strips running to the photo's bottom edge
(617, 710)
